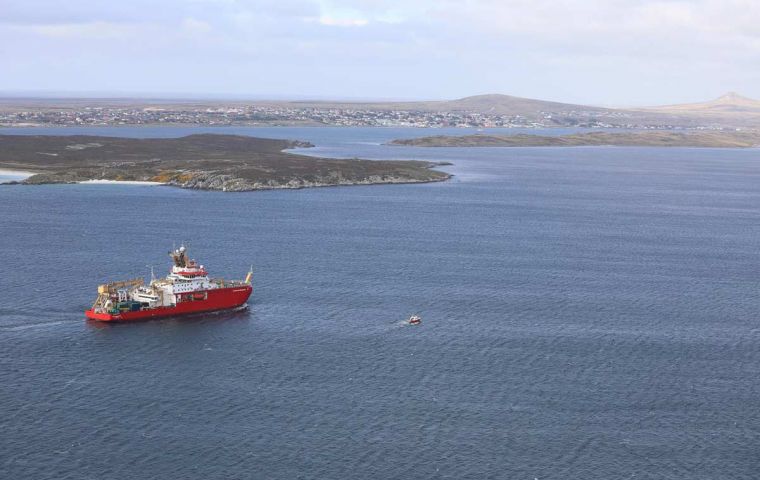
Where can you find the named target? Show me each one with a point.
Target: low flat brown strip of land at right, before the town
(654, 138)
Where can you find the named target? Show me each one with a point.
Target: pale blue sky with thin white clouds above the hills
(601, 52)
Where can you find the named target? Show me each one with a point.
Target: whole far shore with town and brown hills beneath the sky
(481, 111)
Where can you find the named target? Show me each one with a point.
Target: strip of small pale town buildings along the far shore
(283, 115)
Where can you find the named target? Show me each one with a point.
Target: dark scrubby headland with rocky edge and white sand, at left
(229, 163)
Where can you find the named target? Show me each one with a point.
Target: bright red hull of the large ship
(217, 299)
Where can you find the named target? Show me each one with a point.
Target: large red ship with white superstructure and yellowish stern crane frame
(186, 290)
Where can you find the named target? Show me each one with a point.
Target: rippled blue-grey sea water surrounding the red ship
(588, 313)
